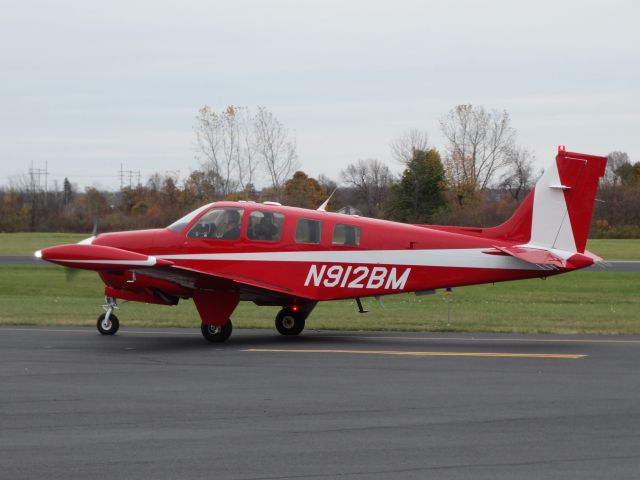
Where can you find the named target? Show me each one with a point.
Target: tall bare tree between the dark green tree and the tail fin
(479, 144)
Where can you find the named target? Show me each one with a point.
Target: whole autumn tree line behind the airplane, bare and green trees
(478, 178)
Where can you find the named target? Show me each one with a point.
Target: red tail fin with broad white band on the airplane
(557, 213)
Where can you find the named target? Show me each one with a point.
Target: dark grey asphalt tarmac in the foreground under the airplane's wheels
(164, 404)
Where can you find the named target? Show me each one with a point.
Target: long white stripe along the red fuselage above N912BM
(461, 258)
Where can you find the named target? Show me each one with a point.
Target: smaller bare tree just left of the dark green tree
(372, 180)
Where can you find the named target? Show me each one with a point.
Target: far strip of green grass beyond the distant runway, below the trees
(27, 243)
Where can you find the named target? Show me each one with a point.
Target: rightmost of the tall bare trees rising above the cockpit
(275, 146)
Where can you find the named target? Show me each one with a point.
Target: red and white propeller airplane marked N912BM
(270, 254)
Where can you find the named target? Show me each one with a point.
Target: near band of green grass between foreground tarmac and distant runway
(589, 302)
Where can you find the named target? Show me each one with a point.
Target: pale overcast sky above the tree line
(87, 86)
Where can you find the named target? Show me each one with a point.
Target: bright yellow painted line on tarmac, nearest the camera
(419, 354)
